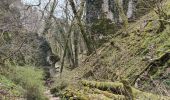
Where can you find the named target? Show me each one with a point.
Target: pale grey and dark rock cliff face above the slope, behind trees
(98, 8)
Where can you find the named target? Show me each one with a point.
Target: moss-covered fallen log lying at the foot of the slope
(120, 88)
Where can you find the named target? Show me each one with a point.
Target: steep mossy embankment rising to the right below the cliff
(142, 57)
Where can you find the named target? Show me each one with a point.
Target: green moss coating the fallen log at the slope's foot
(121, 89)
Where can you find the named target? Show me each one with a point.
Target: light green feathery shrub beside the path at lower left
(30, 79)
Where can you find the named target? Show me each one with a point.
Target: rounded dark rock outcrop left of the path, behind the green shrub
(34, 50)
